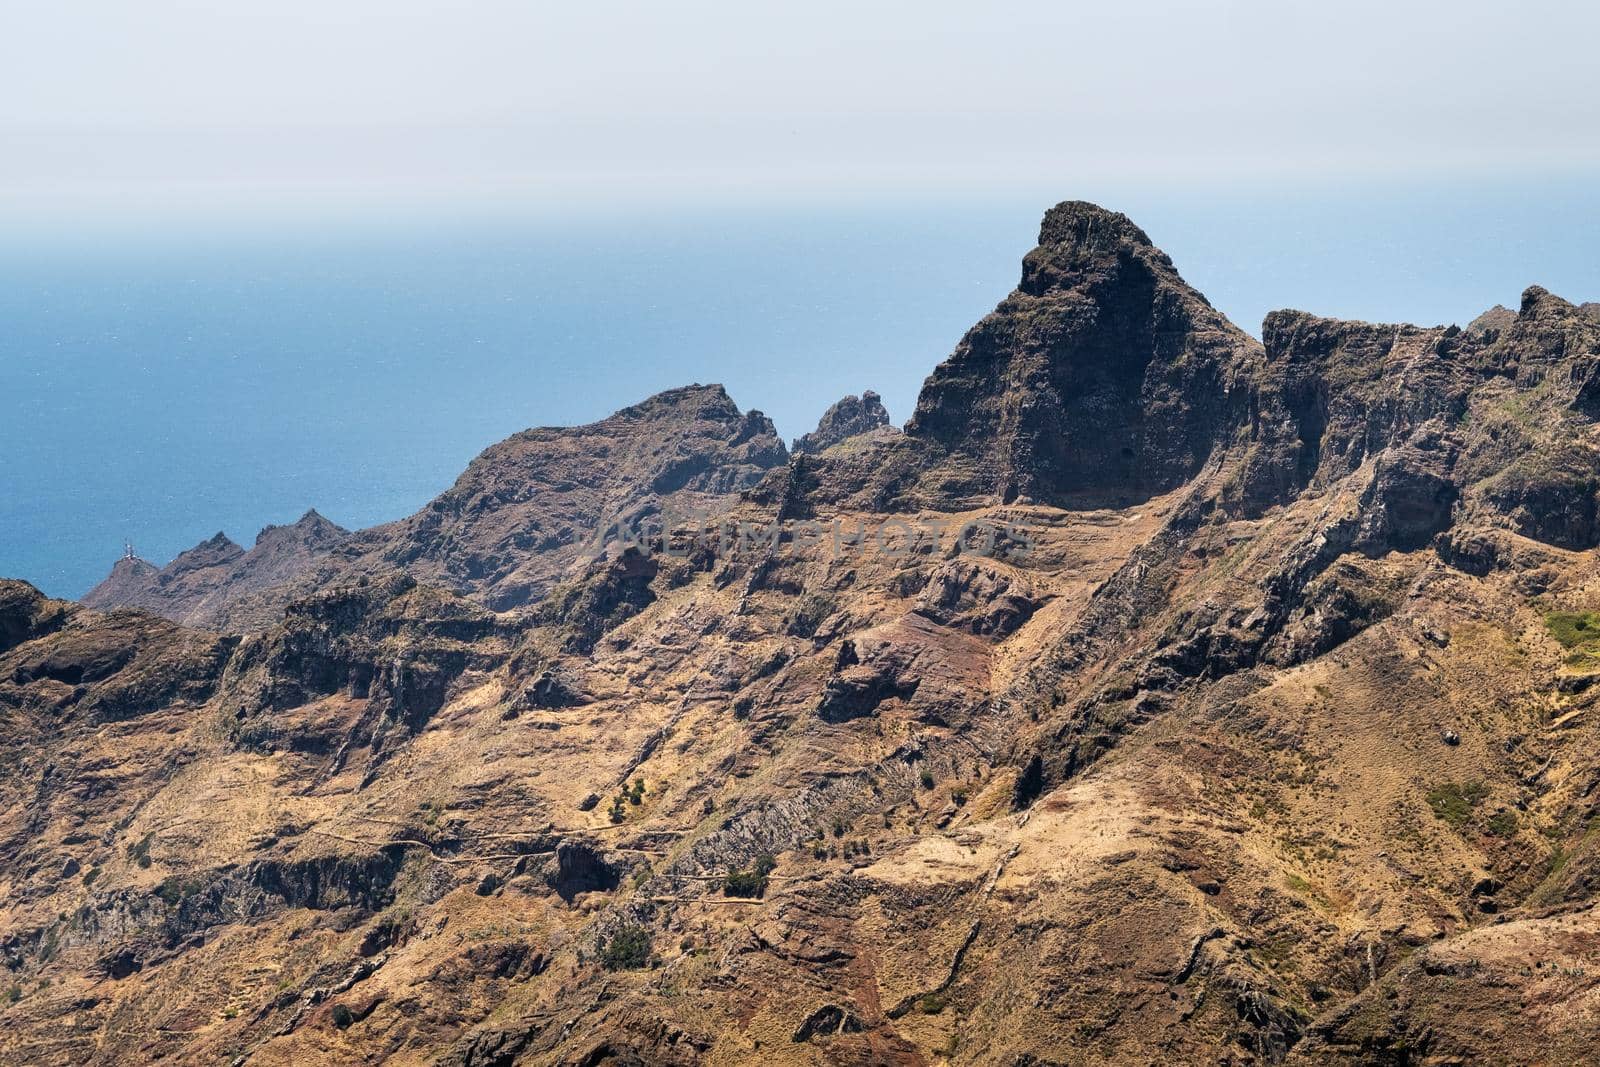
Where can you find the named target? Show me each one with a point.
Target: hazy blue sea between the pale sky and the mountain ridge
(159, 385)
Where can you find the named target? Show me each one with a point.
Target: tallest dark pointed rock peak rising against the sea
(1103, 378)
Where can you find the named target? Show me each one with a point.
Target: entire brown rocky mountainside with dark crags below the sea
(1159, 695)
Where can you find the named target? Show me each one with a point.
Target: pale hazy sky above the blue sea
(206, 102)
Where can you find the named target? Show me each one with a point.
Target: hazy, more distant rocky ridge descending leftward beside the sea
(522, 513)
